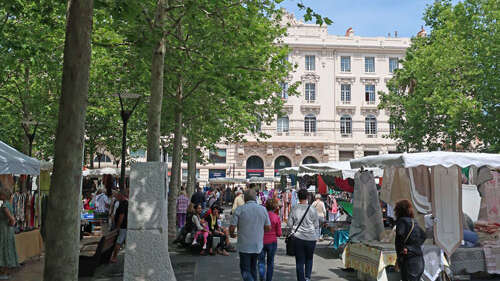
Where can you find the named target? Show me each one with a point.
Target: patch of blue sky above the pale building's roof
(369, 18)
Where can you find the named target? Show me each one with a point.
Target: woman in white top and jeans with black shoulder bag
(306, 236)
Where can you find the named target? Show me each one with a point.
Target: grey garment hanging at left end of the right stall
(367, 223)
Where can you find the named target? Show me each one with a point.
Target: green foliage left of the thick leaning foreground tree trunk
(32, 39)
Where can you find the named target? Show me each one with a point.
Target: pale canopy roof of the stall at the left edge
(13, 162)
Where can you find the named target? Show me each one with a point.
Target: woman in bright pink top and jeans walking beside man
(270, 242)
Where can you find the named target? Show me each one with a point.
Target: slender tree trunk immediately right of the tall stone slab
(175, 180)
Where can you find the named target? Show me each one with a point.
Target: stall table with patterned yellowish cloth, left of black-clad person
(370, 258)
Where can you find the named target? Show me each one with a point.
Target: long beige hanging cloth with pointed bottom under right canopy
(447, 207)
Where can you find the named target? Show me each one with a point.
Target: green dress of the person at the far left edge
(8, 252)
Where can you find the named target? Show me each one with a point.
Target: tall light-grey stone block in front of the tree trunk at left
(147, 257)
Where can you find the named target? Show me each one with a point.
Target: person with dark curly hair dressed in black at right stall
(409, 240)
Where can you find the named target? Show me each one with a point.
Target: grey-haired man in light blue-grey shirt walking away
(252, 220)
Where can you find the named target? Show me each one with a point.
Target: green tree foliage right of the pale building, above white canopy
(446, 95)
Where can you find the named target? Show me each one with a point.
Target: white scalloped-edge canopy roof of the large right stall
(429, 159)
